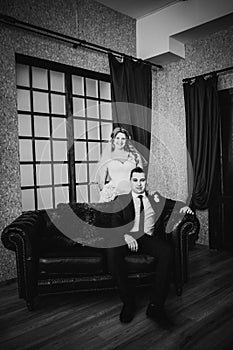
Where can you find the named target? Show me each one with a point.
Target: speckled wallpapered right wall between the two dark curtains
(202, 56)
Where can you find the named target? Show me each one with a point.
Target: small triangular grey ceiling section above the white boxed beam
(137, 8)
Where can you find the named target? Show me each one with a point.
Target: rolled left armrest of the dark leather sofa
(22, 236)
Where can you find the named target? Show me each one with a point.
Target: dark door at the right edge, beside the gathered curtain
(221, 208)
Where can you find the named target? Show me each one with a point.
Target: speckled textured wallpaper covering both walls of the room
(95, 23)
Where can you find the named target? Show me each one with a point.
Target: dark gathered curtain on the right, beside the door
(202, 133)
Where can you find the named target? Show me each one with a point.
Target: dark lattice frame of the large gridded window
(68, 71)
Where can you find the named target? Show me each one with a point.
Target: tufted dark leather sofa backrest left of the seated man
(82, 223)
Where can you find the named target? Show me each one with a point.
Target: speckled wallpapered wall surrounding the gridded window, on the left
(81, 19)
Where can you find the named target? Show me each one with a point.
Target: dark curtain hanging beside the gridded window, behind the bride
(131, 95)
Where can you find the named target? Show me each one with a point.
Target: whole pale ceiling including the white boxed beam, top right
(165, 26)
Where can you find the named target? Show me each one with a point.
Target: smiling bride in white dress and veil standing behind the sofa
(119, 157)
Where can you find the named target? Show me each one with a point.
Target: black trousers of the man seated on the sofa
(151, 245)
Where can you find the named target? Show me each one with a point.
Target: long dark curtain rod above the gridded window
(8, 20)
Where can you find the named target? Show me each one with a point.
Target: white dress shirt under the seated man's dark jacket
(149, 222)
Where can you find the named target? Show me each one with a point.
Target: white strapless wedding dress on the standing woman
(119, 173)
